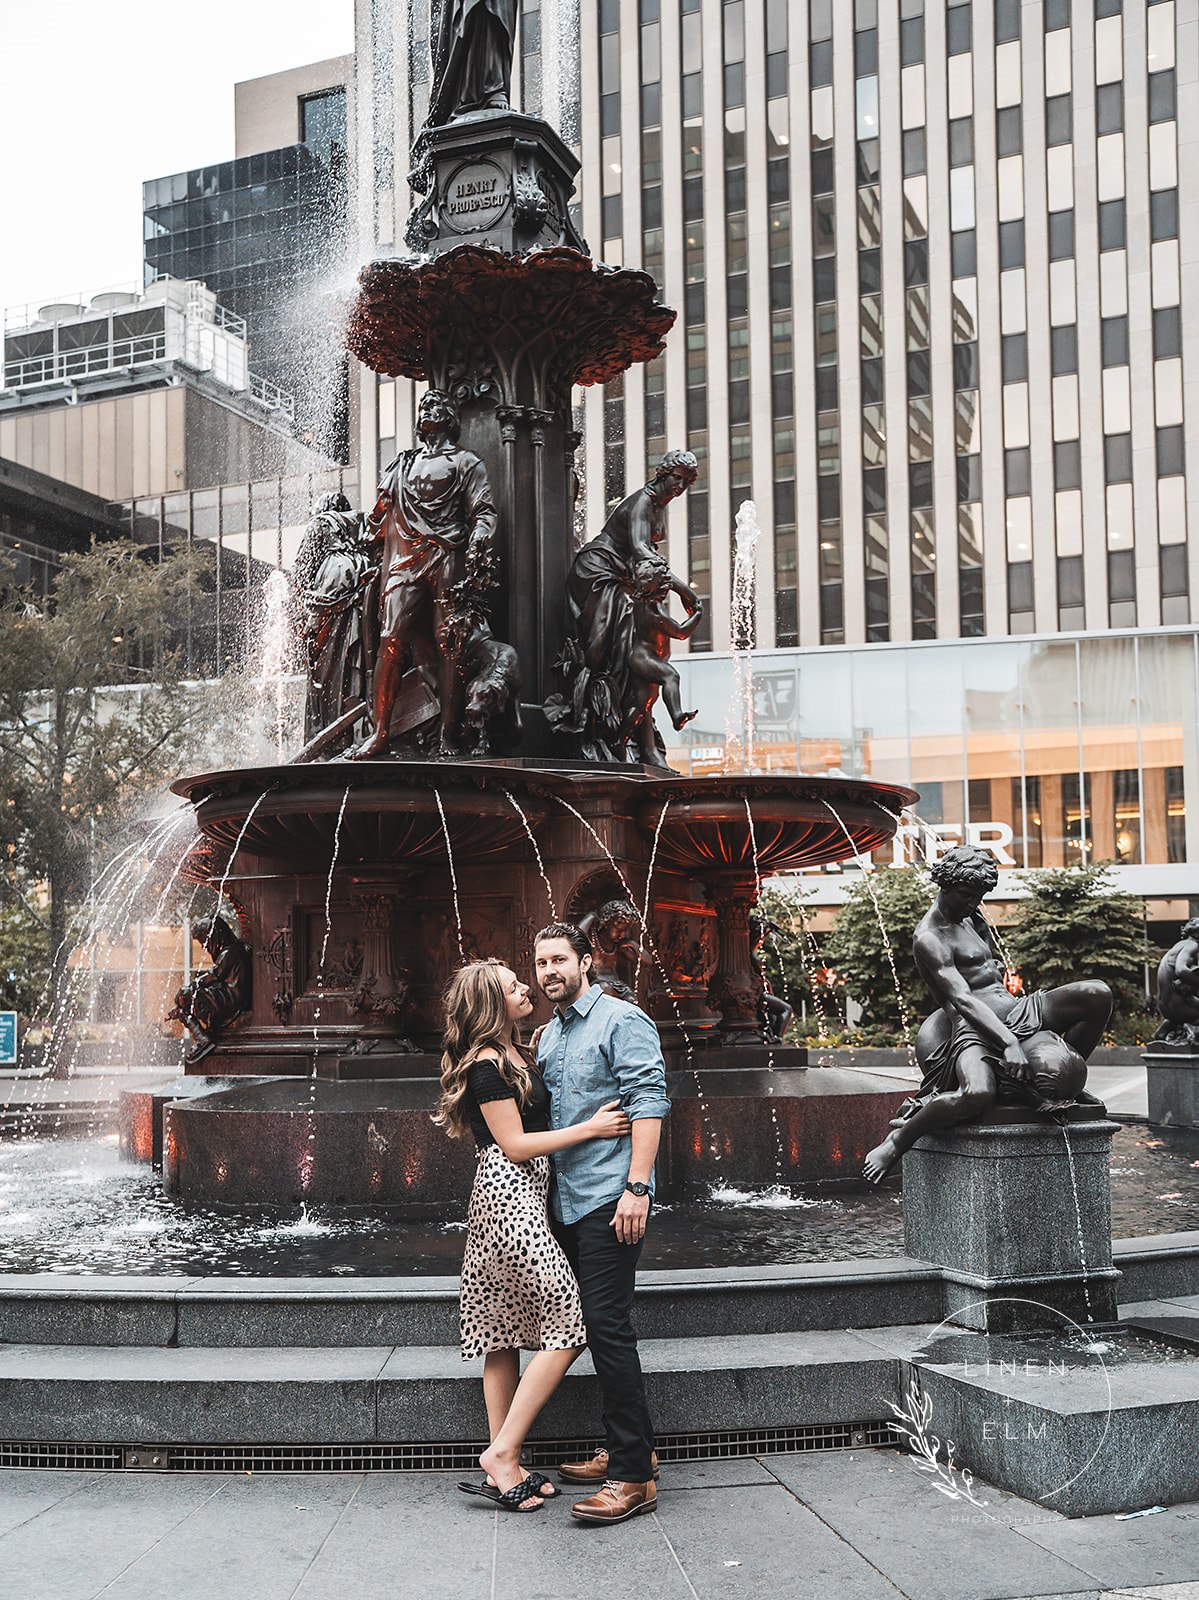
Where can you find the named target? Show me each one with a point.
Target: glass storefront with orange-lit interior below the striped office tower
(1048, 751)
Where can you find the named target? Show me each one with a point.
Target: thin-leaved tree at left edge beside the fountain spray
(78, 742)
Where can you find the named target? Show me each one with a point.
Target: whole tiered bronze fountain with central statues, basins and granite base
(481, 737)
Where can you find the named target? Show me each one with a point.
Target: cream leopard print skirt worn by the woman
(518, 1292)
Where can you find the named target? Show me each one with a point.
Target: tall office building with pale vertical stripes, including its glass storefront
(934, 268)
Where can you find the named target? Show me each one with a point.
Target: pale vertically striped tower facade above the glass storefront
(931, 265)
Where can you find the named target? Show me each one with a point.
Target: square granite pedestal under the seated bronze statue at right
(1019, 1241)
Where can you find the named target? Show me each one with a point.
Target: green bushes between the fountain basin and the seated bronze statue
(857, 951)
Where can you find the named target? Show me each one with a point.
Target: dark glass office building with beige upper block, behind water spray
(267, 233)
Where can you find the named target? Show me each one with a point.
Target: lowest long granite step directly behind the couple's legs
(161, 1396)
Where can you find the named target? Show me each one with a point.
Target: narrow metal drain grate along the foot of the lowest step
(433, 1457)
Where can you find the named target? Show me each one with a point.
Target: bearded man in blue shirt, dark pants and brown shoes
(593, 1050)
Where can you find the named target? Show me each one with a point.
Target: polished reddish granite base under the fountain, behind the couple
(281, 1143)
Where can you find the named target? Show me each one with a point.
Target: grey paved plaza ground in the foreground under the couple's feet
(859, 1526)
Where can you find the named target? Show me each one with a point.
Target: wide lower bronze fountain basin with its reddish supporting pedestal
(353, 865)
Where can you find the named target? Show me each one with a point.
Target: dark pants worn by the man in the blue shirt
(606, 1271)
